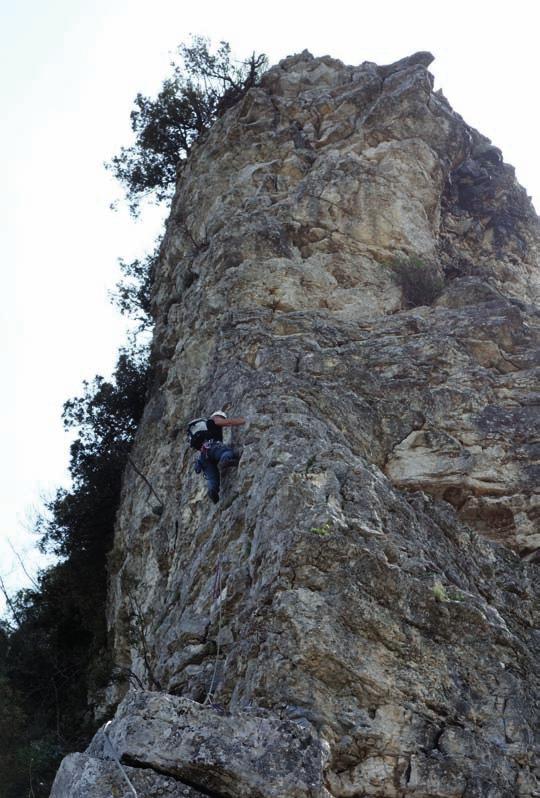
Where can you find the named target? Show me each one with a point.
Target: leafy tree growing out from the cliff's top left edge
(202, 86)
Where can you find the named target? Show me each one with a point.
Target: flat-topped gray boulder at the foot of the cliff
(238, 754)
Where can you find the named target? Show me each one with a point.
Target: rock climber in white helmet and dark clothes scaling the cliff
(206, 436)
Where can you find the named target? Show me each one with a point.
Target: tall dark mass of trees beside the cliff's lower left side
(48, 661)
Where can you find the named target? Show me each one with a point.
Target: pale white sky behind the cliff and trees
(70, 72)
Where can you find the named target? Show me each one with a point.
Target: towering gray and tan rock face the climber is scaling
(358, 610)
